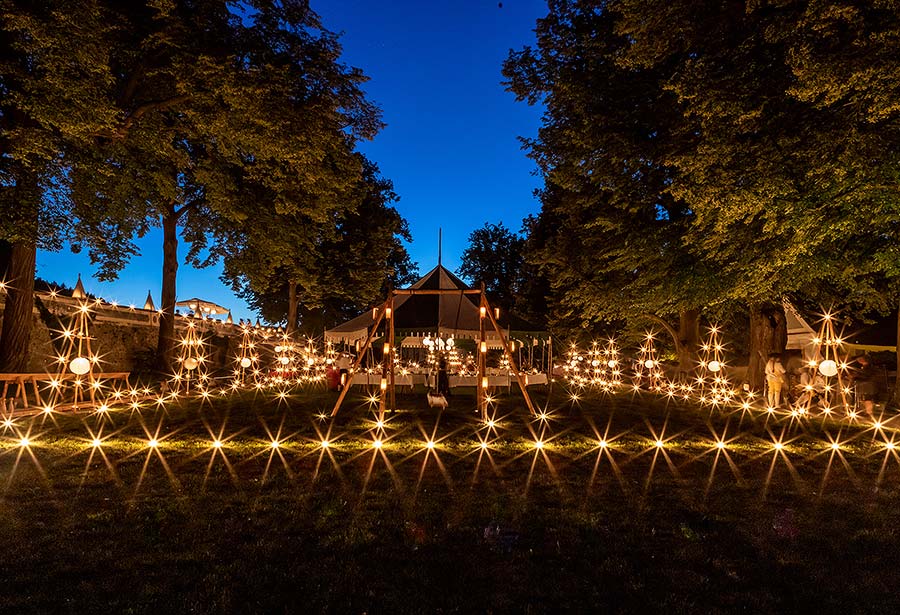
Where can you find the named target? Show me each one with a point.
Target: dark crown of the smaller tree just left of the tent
(341, 264)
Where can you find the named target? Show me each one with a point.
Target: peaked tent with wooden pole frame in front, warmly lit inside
(440, 310)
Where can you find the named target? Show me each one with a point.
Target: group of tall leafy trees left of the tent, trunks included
(230, 125)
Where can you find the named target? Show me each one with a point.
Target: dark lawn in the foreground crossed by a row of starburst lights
(682, 527)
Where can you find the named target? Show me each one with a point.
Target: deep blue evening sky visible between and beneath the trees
(450, 145)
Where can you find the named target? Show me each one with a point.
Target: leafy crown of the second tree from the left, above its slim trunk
(218, 111)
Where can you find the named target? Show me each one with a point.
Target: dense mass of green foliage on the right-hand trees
(702, 154)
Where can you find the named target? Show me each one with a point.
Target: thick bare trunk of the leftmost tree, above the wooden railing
(17, 315)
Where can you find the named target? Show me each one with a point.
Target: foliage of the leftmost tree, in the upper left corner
(52, 74)
